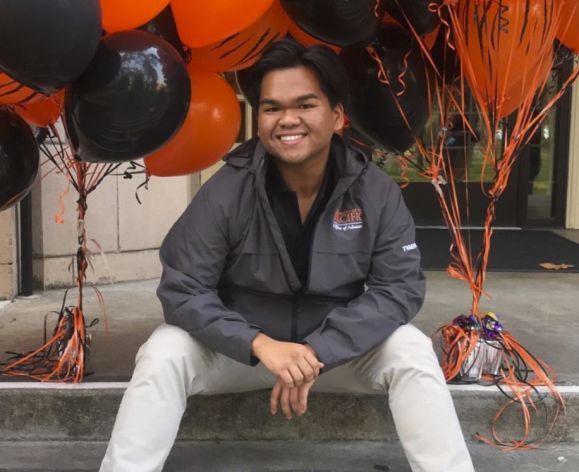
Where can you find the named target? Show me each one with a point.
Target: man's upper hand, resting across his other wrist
(292, 363)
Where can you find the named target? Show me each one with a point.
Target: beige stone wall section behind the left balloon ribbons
(123, 235)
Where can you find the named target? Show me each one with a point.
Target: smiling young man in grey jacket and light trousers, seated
(294, 268)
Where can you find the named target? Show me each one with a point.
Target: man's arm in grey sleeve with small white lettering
(395, 292)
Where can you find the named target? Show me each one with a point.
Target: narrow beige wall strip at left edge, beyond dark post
(8, 280)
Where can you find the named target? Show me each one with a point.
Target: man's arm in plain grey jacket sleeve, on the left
(193, 256)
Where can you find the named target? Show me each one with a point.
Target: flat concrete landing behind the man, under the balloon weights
(540, 309)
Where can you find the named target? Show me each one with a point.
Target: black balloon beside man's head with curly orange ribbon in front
(373, 106)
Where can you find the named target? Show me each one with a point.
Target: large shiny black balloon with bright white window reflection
(131, 100)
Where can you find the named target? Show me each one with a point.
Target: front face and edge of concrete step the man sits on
(86, 412)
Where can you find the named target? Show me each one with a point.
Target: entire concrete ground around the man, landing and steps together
(64, 427)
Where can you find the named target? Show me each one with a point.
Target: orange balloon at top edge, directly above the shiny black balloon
(119, 15)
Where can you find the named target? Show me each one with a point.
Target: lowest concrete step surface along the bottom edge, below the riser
(278, 456)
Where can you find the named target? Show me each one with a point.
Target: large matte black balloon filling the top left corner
(47, 44)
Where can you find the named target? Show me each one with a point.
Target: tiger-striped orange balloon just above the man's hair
(243, 49)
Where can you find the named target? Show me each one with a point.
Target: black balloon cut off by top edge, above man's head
(340, 22)
